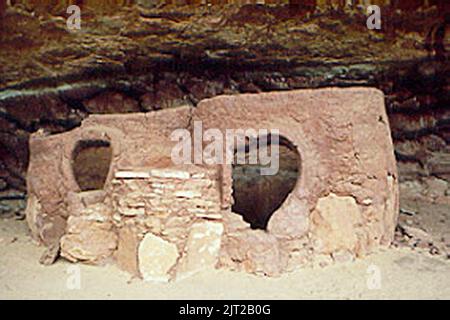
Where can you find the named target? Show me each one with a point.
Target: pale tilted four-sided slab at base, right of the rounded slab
(202, 248)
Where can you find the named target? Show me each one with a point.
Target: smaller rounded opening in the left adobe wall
(91, 162)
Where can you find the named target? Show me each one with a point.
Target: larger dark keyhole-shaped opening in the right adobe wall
(257, 197)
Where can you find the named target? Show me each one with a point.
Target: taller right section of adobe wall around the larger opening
(346, 200)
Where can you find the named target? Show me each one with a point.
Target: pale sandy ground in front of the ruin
(388, 274)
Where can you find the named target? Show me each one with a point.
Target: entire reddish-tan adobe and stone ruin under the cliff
(164, 221)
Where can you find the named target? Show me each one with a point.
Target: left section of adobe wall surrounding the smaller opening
(137, 140)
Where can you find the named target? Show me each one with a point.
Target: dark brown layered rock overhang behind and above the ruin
(130, 58)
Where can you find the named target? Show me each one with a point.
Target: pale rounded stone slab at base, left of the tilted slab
(156, 258)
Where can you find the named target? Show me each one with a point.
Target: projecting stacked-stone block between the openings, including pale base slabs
(152, 221)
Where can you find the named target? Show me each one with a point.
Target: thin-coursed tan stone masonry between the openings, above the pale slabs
(166, 202)
